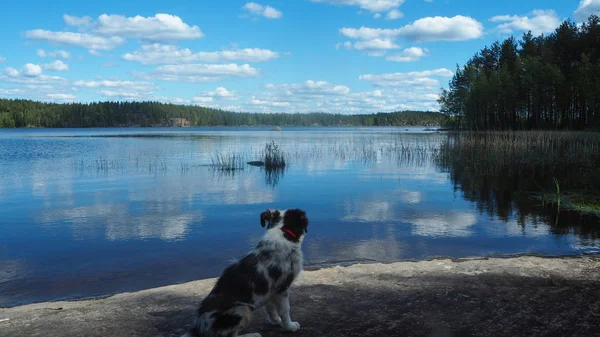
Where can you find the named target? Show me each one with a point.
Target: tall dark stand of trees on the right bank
(543, 82)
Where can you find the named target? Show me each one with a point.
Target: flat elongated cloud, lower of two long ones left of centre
(199, 72)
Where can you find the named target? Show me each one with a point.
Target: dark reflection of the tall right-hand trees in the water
(510, 179)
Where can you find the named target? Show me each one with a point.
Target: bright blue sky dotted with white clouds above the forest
(336, 56)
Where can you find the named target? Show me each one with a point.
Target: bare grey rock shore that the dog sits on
(524, 296)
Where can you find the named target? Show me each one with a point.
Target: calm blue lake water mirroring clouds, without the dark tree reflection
(92, 212)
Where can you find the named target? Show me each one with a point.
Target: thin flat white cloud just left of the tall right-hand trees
(420, 78)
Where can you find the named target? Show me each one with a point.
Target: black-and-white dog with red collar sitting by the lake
(261, 279)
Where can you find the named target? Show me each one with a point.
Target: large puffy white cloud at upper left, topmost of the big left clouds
(160, 27)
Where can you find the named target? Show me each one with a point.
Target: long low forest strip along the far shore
(26, 113)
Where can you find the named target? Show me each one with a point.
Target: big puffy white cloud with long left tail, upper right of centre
(457, 28)
